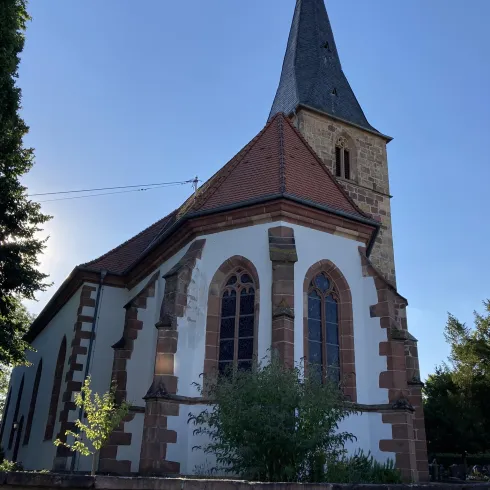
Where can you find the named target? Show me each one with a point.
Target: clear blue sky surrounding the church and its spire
(122, 92)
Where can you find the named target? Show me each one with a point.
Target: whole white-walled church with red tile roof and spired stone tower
(287, 247)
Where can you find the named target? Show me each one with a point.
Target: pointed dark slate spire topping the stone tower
(312, 74)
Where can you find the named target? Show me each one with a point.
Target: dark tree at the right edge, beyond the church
(456, 396)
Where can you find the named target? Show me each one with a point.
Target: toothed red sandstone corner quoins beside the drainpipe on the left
(76, 362)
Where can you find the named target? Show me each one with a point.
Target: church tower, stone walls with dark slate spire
(314, 92)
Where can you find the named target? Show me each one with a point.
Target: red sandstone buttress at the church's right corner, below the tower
(401, 379)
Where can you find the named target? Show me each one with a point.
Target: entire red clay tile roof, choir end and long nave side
(278, 161)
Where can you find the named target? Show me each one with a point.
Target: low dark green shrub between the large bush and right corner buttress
(361, 468)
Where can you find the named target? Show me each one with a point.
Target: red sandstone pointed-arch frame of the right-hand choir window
(345, 322)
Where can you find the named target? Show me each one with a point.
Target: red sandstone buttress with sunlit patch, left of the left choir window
(156, 436)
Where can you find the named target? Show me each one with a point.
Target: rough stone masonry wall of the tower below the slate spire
(369, 185)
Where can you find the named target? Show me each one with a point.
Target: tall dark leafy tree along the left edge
(20, 218)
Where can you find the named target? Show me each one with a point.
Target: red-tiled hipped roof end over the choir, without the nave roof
(277, 161)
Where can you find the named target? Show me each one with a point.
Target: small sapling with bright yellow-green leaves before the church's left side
(102, 414)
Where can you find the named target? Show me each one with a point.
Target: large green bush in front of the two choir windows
(273, 424)
